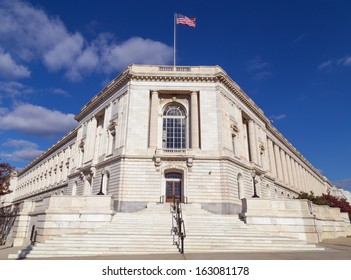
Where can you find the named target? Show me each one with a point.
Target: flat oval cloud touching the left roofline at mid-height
(36, 120)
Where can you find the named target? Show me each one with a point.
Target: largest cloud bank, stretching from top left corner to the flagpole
(27, 33)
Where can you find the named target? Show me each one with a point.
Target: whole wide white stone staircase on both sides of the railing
(149, 232)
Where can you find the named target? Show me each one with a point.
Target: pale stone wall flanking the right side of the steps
(296, 218)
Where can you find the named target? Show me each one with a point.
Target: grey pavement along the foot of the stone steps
(335, 249)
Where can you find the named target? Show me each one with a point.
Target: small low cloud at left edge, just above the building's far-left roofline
(23, 150)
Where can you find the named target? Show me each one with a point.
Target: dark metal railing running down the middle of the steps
(178, 227)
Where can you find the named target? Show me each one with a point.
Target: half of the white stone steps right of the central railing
(207, 232)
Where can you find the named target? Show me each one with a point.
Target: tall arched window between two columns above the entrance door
(174, 128)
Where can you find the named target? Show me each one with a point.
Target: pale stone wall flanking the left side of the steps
(59, 215)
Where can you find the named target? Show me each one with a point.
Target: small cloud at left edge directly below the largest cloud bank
(10, 69)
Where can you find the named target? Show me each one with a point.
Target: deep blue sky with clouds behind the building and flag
(293, 58)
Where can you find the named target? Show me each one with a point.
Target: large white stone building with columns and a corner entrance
(159, 132)
